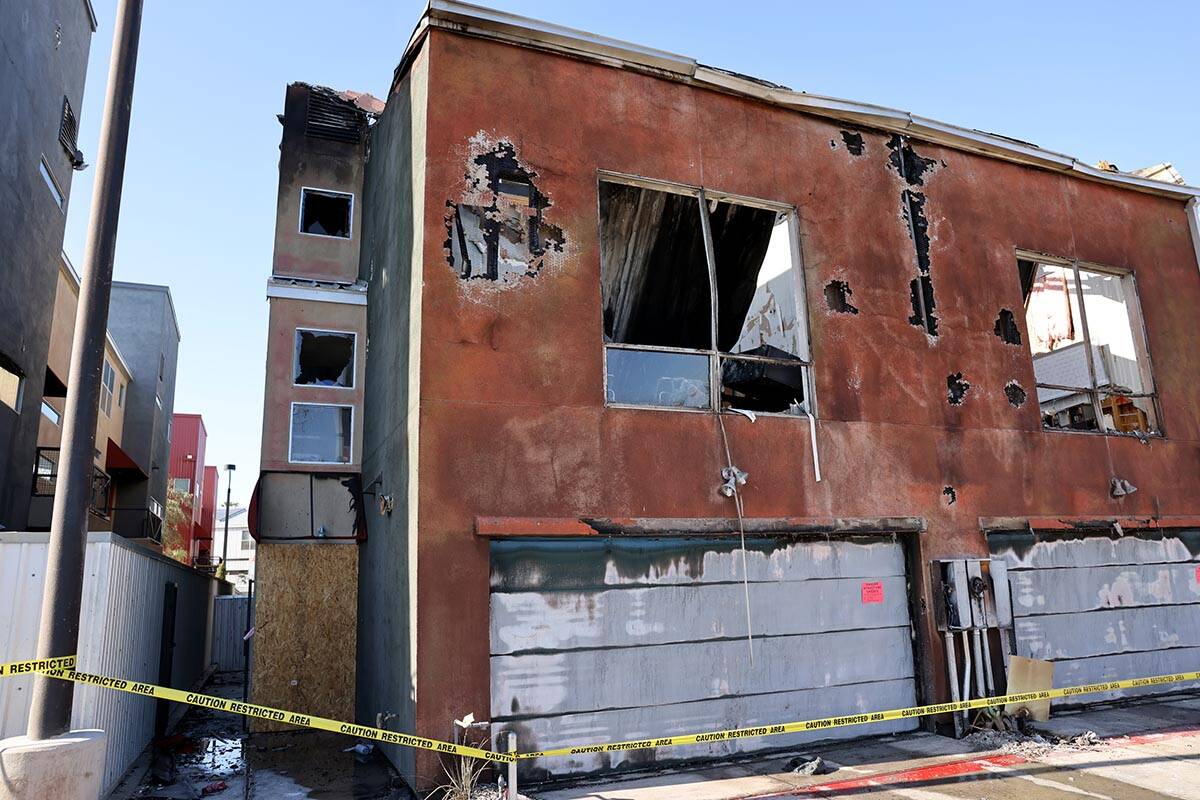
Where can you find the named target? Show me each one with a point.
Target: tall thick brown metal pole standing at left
(50, 713)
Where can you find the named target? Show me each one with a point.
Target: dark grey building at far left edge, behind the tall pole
(44, 49)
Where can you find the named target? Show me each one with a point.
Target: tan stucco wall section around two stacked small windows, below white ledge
(286, 317)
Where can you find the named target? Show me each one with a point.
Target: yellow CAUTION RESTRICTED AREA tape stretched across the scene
(58, 669)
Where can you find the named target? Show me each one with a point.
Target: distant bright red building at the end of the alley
(190, 477)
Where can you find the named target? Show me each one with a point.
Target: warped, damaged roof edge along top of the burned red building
(488, 23)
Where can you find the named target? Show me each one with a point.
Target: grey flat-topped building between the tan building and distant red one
(142, 322)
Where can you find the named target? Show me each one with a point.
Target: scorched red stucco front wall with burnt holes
(512, 404)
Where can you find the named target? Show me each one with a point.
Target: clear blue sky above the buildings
(1114, 81)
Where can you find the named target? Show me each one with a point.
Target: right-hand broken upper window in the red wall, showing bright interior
(1090, 356)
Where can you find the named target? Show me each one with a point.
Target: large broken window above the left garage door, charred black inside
(700, 302)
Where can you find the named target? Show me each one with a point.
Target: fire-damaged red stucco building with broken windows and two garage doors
(621, 318)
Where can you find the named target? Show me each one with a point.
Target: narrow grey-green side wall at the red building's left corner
(387, 681)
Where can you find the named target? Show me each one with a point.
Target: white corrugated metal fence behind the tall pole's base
(121, 631)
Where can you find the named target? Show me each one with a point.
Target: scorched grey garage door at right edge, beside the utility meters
(1106, 607)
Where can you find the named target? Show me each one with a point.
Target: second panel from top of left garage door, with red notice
(563, 621)
